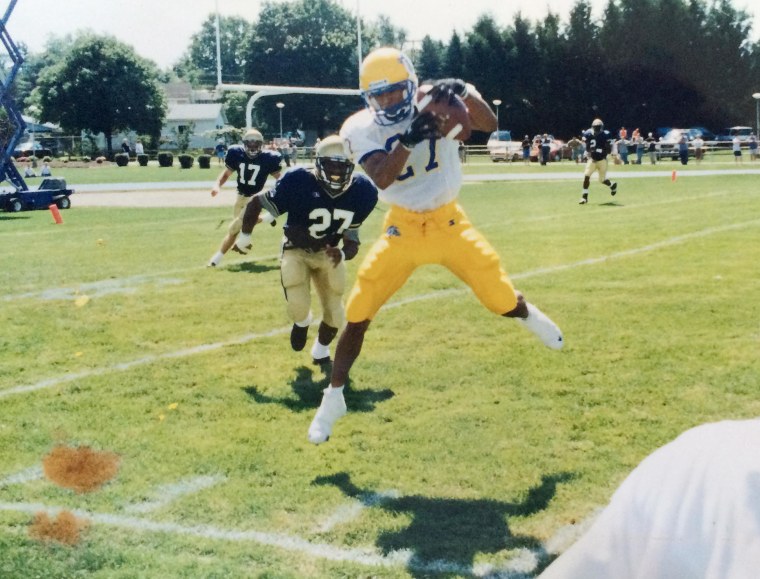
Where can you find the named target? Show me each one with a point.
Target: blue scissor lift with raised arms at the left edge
(50, 191)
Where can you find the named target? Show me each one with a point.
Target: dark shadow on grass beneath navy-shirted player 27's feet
(307, 388)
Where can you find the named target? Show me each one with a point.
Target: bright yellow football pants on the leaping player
(443, 237)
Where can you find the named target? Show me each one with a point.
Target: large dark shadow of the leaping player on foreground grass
(446, 535)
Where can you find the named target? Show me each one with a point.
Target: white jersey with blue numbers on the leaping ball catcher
(433, 175)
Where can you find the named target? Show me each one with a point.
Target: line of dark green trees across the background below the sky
(644, 63)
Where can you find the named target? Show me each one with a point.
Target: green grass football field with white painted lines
(469, 448)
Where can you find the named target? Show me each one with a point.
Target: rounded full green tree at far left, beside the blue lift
(101, 85)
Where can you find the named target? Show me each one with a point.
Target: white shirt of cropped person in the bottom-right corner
(690, 509)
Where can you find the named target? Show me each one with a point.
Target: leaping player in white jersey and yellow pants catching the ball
(419, 174)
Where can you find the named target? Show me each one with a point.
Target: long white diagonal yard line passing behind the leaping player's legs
(204, 348)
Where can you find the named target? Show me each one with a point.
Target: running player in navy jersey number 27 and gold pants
(326, 206)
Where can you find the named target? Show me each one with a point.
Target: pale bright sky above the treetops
(161, 29)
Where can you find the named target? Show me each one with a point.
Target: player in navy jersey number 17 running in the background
(253, 167)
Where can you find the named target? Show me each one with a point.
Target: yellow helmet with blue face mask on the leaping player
(384, 70)
